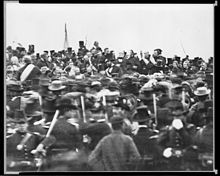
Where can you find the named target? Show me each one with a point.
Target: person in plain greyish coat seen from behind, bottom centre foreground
(115, 151)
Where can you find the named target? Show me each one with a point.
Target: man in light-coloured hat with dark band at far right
(197, 112)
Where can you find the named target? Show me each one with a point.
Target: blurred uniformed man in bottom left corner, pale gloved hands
(20, 145)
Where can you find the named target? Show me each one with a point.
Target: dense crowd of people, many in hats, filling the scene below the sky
(90, 110)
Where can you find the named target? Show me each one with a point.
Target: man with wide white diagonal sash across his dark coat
(28, 71)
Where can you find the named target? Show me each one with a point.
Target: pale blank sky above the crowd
(177, 29)
